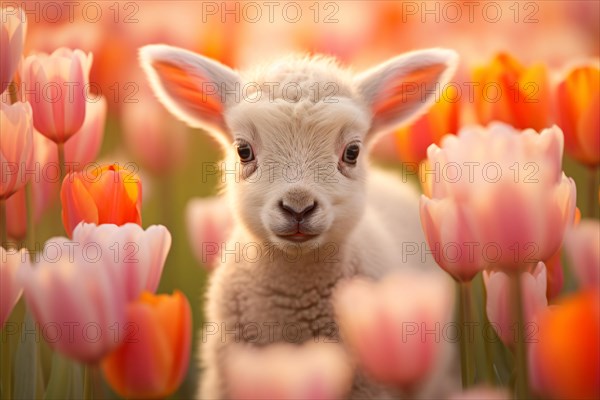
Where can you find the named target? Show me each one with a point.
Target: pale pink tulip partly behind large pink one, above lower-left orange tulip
(136, 253)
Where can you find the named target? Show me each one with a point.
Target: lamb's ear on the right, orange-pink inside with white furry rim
(403, 87)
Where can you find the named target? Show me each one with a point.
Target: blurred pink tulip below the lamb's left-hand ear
(151, 135)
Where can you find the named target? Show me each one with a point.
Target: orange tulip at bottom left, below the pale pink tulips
(153, 362)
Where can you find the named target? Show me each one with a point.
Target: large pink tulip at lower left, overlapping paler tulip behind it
(76, 298)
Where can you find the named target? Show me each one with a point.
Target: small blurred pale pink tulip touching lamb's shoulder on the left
(208, 225)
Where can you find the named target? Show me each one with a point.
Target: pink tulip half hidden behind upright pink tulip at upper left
(83, 148)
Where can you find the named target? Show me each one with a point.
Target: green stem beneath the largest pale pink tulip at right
(522, 381)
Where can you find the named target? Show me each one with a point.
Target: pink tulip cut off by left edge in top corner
(13, 29)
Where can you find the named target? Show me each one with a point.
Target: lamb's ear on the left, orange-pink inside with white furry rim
(190, 86)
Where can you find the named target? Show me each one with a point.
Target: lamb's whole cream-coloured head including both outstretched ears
(296, 131)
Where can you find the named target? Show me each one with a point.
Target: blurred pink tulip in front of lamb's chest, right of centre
(395, 326)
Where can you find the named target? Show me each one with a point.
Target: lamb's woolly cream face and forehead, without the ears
(300, 169)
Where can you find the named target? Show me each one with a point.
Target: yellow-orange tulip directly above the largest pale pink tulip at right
(506, 91)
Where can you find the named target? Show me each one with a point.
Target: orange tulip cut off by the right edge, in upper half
(578, 102)
